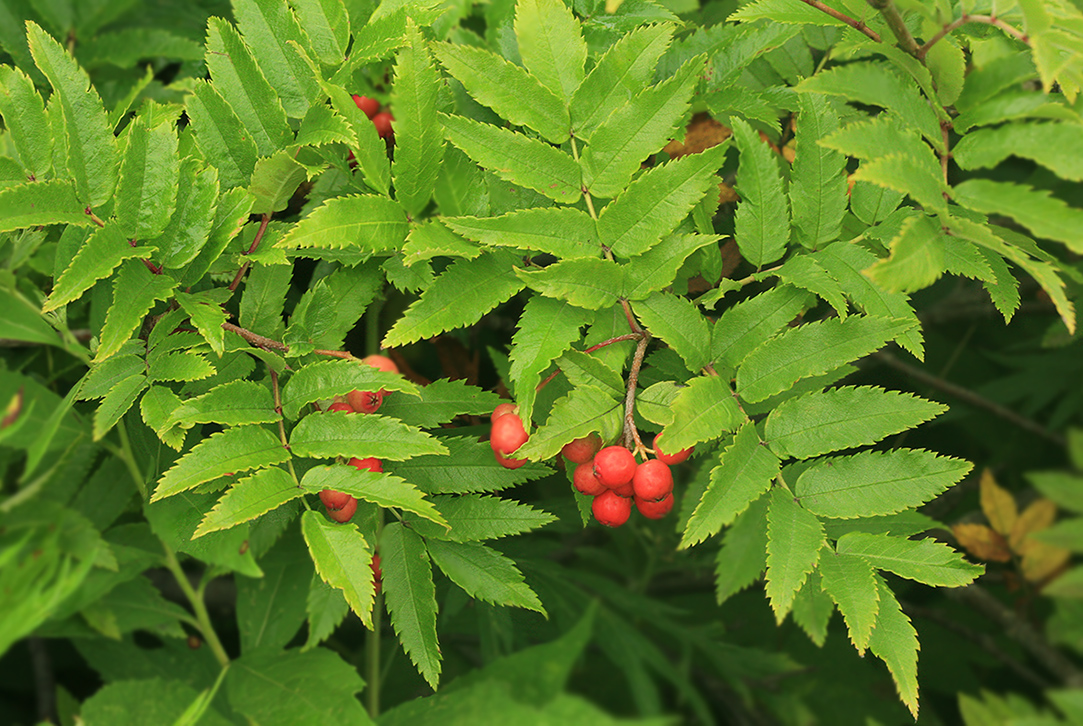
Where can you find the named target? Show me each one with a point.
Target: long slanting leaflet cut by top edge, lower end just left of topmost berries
(270, 28)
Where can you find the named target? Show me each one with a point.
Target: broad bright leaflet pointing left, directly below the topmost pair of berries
(367, 223)
